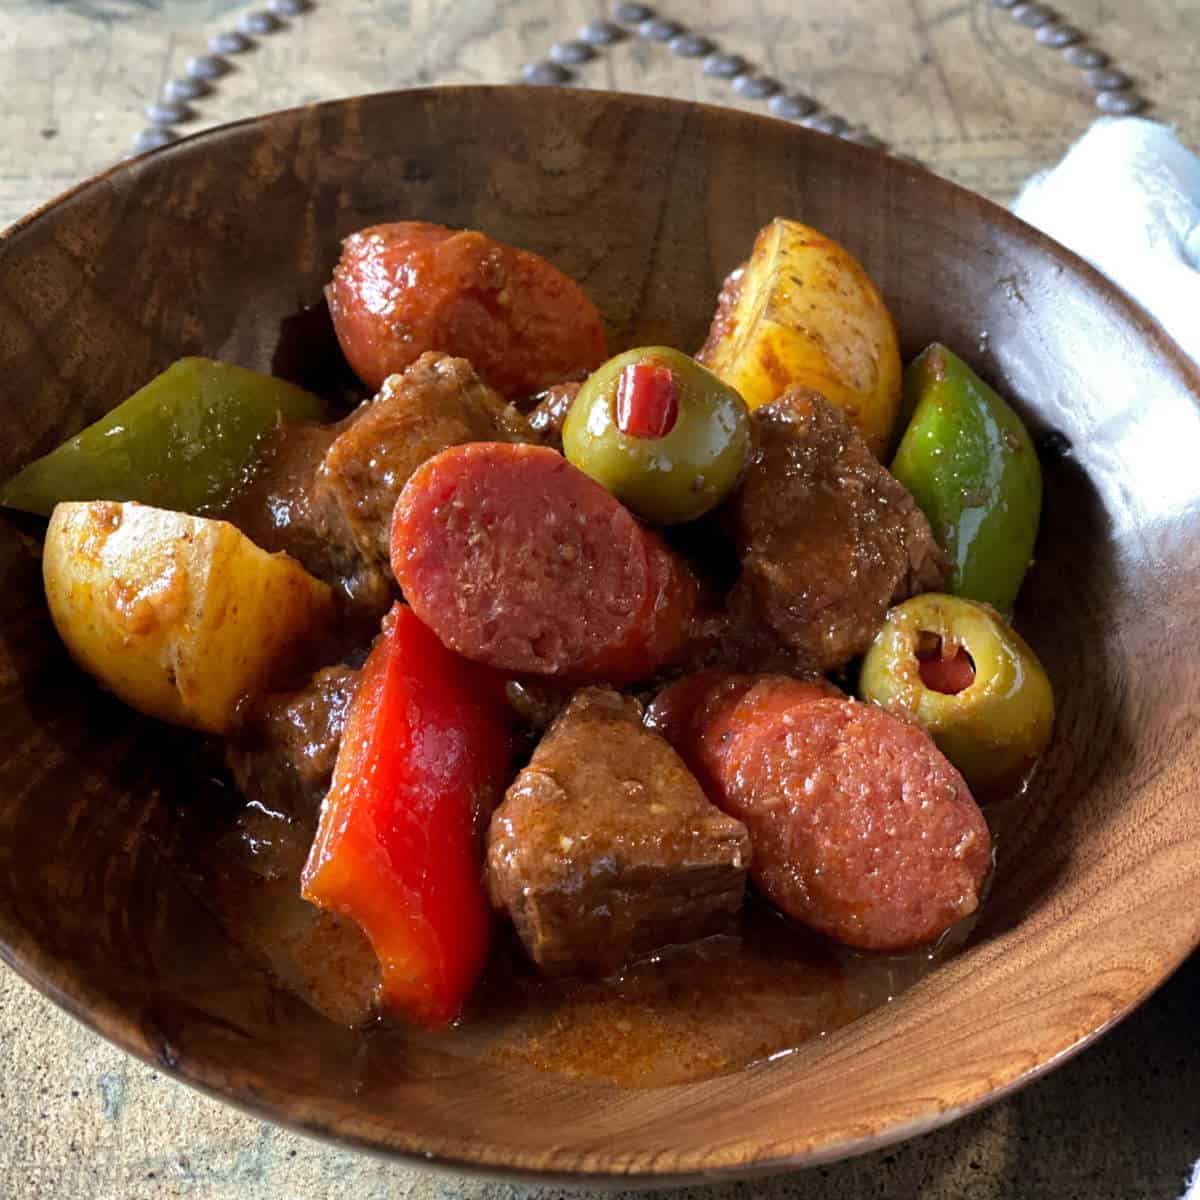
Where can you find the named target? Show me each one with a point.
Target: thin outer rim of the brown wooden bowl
(44, 971)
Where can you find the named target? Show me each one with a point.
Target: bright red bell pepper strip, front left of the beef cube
(398, 850)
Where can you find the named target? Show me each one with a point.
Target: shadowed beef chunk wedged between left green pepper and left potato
(285, 509)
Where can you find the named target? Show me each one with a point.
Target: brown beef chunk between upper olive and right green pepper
(829, 539)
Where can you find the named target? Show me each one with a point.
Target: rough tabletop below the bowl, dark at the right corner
(80, 1120)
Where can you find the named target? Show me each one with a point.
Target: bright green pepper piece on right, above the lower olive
(971, 467)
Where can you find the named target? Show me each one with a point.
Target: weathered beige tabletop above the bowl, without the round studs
(957, 83)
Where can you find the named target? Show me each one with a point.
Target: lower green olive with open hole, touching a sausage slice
(1000, 717)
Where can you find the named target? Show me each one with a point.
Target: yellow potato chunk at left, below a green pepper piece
(179, 616)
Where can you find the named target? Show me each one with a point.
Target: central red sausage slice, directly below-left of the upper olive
(518, 560)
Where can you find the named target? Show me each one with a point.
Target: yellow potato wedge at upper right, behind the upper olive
(805, 313)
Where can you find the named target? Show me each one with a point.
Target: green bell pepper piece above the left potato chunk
(183, 442)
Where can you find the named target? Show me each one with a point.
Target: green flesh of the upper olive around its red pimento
(675, 477)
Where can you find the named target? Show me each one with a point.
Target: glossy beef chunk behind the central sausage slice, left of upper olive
(436, 404)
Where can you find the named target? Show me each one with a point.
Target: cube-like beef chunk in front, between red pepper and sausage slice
(605, 848)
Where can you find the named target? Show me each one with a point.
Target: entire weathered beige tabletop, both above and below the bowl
(964, 86)
